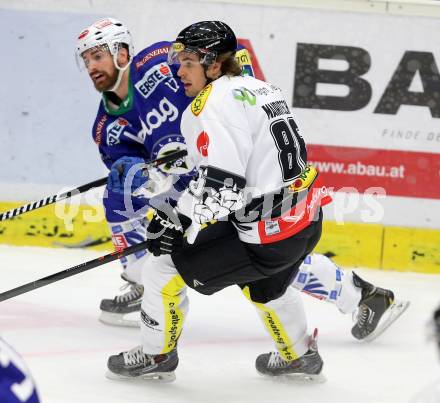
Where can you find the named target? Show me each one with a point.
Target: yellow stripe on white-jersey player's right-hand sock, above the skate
(275, 328)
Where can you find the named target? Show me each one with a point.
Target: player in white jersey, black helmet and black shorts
(243, 139)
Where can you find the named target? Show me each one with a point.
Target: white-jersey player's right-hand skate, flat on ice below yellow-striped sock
(307, 367)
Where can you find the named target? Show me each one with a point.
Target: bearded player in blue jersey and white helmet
(105, 50)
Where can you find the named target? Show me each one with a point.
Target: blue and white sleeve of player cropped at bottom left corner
(16, 383)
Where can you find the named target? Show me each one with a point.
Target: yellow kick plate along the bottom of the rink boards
(350, 244)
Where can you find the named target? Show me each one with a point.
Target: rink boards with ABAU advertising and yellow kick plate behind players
(360, 80)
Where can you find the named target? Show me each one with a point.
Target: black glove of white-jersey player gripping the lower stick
(165, 231)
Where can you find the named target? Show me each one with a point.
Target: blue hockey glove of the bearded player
(126, 175)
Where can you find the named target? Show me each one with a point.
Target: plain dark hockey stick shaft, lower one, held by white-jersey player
(71, 271)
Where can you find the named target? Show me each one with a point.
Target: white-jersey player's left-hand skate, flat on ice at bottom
(135, 364)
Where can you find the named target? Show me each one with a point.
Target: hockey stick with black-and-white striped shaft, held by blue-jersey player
(84, 188)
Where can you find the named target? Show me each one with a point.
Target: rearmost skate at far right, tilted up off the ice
(377, 310)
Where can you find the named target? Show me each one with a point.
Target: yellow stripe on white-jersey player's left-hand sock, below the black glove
(173, 314)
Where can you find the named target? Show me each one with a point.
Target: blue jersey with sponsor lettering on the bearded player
(148, 119)
